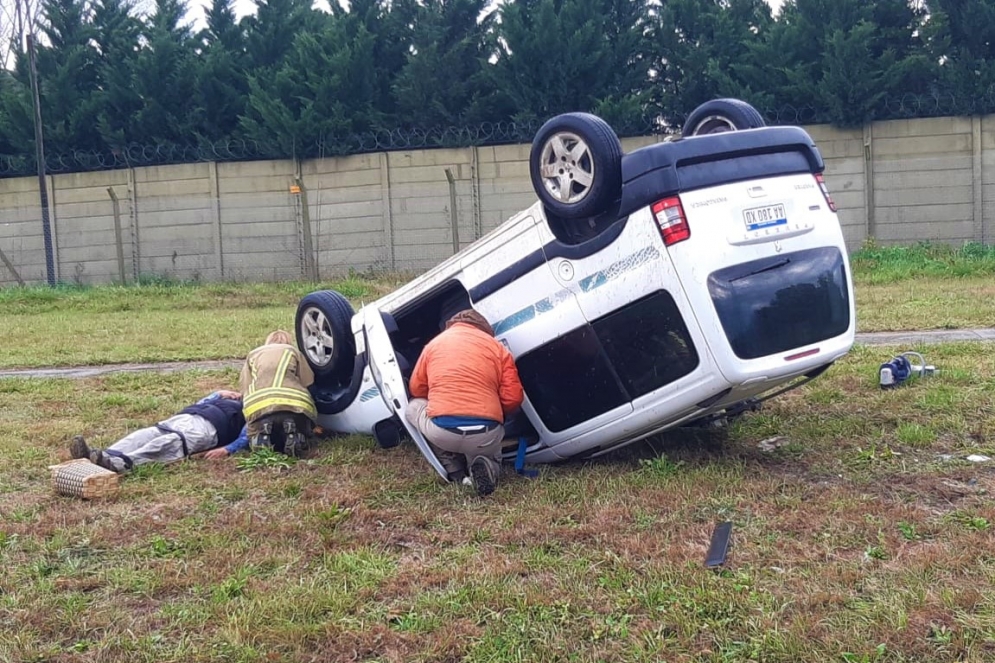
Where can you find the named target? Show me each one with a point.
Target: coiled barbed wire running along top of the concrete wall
(409, 138)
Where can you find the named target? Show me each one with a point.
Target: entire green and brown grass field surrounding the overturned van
(862, 536)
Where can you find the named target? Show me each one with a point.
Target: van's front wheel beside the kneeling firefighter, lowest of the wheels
(324, 333)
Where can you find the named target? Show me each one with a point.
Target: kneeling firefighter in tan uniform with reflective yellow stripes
(279, 410)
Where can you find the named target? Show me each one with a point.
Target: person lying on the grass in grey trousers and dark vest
(214, 424)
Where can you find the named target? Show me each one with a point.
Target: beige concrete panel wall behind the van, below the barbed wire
(899, 182)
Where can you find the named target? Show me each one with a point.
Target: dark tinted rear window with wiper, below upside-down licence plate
(782, 302)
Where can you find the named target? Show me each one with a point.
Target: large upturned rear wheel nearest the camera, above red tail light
(599, 161)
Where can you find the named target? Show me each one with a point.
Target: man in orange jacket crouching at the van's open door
(463, 386)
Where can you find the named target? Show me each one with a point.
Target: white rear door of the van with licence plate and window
(766, 270)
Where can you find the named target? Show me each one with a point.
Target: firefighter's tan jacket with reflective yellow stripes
(275, 378)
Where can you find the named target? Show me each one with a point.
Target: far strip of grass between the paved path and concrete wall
(921, 287)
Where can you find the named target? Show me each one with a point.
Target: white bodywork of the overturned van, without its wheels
(651, 328)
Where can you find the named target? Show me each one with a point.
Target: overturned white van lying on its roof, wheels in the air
(682, 282)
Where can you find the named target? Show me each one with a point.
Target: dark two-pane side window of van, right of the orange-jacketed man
(595, 368)
